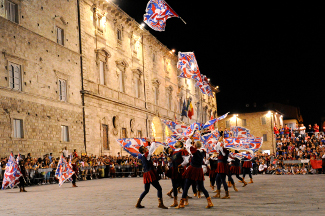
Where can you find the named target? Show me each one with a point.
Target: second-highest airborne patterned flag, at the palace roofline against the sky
(188, 65)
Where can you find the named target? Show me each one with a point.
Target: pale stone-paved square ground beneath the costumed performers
(268, 195)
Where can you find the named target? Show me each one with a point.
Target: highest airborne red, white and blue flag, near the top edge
(157, 13)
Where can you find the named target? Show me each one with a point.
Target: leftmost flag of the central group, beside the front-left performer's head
(132, 145)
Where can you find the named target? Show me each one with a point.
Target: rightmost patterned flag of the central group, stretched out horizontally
(252, 144)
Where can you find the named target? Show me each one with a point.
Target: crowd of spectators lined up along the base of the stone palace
(42, 170)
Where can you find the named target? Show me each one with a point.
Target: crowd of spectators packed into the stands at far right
(295, 149)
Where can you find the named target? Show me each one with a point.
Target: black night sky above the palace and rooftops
(254, 52)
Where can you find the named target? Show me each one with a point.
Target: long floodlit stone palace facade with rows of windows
(81, 74)
